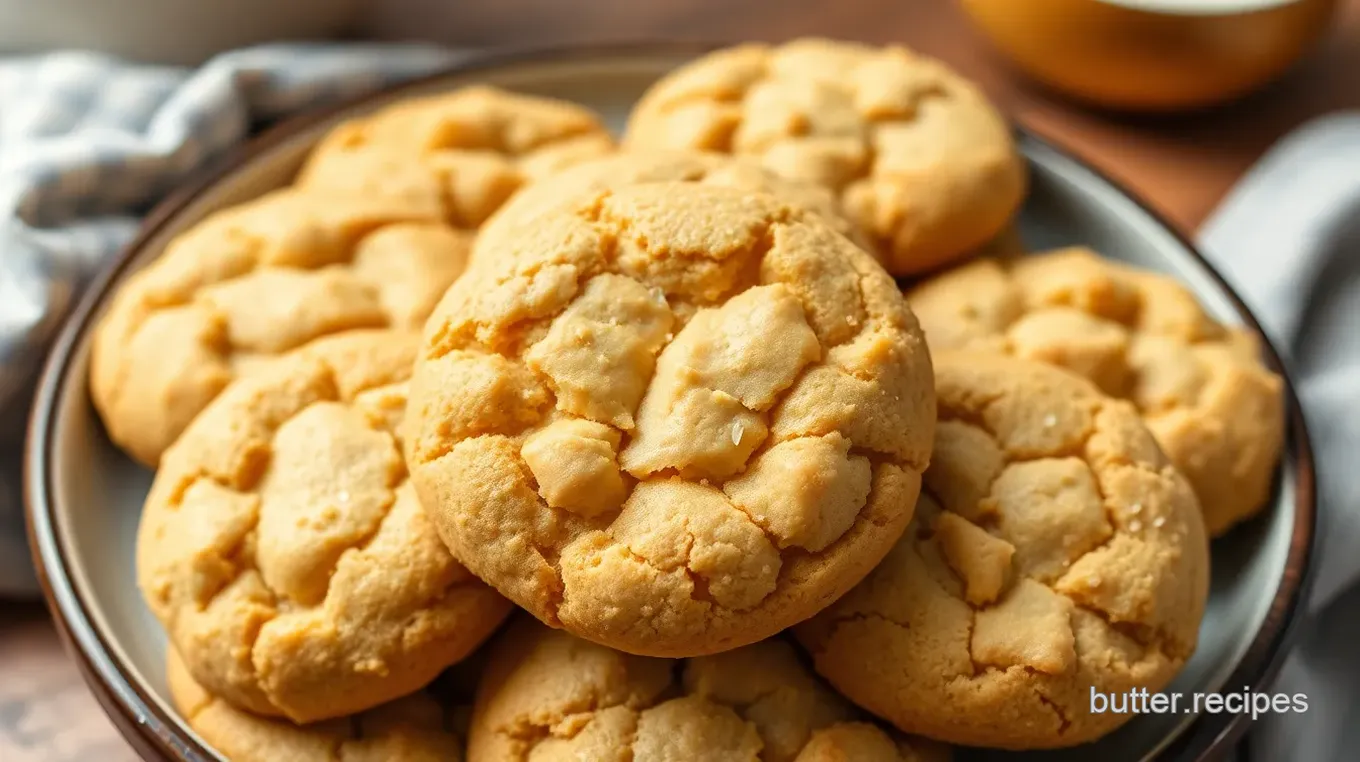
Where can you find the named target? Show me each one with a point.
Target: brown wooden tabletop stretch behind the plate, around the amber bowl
(1184, 164)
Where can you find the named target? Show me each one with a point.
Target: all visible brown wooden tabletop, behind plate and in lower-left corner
(1183, 164)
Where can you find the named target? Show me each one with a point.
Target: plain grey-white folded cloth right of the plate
(1289, 239)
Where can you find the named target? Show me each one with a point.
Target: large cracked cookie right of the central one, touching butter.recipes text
(1055, 553)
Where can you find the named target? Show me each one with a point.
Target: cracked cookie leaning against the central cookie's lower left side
(284, 548)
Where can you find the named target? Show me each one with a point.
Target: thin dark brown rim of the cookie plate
(156, 734)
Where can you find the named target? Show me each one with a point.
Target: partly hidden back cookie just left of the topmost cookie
(458, 154)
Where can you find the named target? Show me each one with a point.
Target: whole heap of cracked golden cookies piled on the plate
(673, 403)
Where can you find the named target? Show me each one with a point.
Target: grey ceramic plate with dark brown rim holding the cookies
(85, 497)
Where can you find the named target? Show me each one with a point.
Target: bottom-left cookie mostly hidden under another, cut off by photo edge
(414, 729)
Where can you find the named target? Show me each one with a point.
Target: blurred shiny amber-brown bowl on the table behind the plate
(1153, 55)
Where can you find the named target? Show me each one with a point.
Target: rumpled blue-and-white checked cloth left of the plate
(88, 145)
